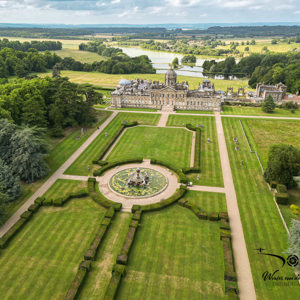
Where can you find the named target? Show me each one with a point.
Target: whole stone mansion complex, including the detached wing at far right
(172, 95)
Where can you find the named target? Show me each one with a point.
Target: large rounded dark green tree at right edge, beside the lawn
(283, 164)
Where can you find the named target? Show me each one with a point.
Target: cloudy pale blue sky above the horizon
(148, 11)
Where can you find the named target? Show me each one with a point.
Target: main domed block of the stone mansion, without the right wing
(166, 96)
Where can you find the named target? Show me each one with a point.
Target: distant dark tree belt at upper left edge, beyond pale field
(25, 46)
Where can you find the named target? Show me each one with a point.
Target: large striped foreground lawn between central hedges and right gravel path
(175, 256)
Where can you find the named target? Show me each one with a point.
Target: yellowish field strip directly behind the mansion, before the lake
(112, 80)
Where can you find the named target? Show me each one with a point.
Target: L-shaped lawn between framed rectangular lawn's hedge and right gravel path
(210, 165)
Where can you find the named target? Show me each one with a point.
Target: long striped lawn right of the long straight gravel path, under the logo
(260, 219)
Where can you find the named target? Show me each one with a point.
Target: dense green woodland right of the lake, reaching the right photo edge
(268, 68)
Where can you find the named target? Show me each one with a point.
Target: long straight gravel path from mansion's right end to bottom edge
(242, 264)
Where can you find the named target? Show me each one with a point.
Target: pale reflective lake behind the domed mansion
(161, 61)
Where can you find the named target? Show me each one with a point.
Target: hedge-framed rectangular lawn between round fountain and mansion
(170, 145)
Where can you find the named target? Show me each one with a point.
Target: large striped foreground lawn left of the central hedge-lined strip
(42, 259)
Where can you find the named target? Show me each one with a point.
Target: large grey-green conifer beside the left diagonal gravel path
(29, 150)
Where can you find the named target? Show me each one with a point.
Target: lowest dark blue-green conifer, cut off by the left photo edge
(9, 185)
